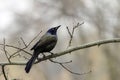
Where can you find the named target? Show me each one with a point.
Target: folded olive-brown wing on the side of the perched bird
(45, 40)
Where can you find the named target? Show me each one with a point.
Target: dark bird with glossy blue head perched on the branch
(46, 43)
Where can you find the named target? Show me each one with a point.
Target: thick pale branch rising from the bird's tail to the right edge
(100, 42)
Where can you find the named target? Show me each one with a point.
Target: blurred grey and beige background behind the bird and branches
(26, 18)
